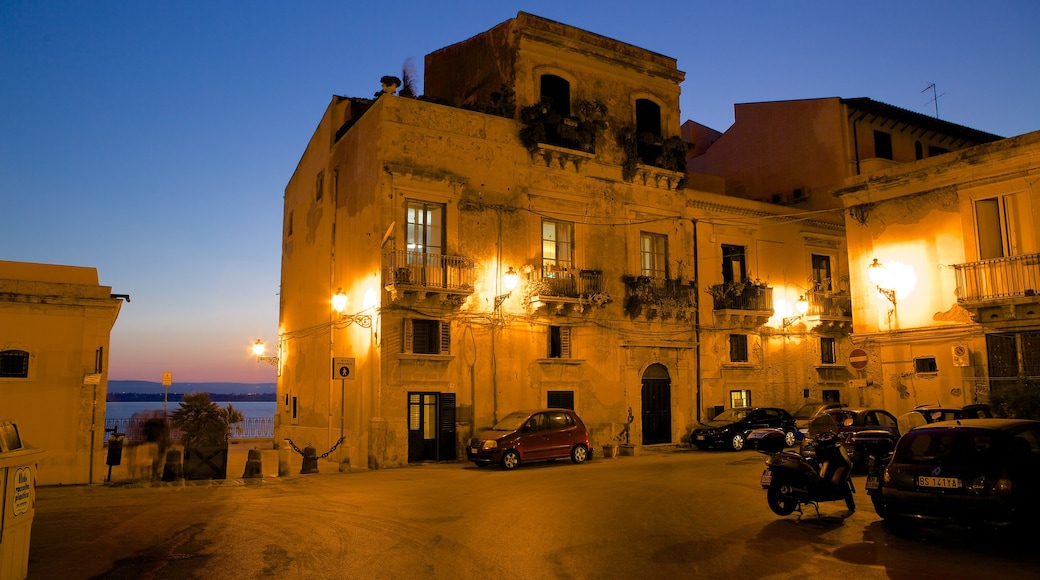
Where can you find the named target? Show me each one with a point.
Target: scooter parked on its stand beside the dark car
(793, 480)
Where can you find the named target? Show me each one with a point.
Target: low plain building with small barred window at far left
(56, 326)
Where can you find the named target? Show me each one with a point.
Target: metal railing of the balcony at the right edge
(999, 278)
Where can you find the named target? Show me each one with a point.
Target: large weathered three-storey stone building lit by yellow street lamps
(526, 235)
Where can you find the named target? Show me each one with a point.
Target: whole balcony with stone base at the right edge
(1002, 289)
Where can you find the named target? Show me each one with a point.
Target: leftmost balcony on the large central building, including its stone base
(450, 279)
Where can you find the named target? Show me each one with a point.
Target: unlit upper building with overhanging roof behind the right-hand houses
(795, 153)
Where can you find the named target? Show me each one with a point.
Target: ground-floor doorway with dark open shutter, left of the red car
(431, 428)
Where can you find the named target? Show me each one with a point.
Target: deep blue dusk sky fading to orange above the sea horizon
(153, 141)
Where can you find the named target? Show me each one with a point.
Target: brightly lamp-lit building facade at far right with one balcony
(946, 273)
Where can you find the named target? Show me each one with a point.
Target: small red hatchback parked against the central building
(532, 436)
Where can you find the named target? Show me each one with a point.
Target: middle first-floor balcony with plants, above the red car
(562, 288)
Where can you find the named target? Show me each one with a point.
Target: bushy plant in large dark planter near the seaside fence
(206, 429)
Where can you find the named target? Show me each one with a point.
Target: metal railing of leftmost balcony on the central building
(432, 271)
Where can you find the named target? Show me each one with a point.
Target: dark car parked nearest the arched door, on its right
(730, 430)
